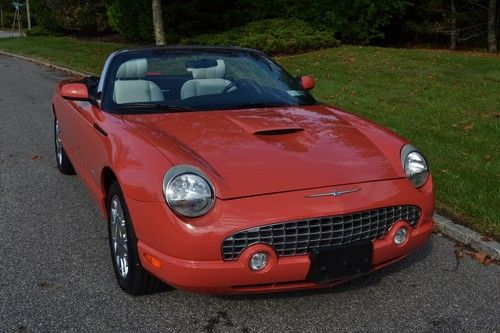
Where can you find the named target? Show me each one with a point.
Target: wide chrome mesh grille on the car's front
(299, 237)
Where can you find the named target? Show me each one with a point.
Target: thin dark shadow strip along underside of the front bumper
(365, 281)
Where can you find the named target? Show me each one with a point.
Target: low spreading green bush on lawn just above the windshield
(274, 36)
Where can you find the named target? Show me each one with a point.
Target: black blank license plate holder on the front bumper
(335, 263)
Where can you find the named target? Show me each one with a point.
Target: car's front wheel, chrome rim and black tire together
(130, 274)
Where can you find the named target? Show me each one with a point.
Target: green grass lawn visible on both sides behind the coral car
(447, 104)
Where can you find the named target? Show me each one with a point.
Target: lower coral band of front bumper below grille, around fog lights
(286, 273)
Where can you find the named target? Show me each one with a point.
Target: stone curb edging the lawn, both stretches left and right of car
(444, 225)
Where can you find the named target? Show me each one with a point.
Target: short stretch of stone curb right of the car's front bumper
(466, 236)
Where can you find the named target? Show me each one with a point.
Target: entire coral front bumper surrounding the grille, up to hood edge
(190, 251)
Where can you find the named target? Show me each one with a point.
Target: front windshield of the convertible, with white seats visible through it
(192, 79)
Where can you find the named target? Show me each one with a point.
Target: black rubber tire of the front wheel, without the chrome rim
(137, 281)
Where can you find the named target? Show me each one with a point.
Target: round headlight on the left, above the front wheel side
(188, 191)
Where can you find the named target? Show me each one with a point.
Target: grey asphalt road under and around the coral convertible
(56, 275)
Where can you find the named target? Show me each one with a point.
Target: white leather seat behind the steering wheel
(206, 81)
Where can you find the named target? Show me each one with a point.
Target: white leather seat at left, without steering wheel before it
(131, 88)
